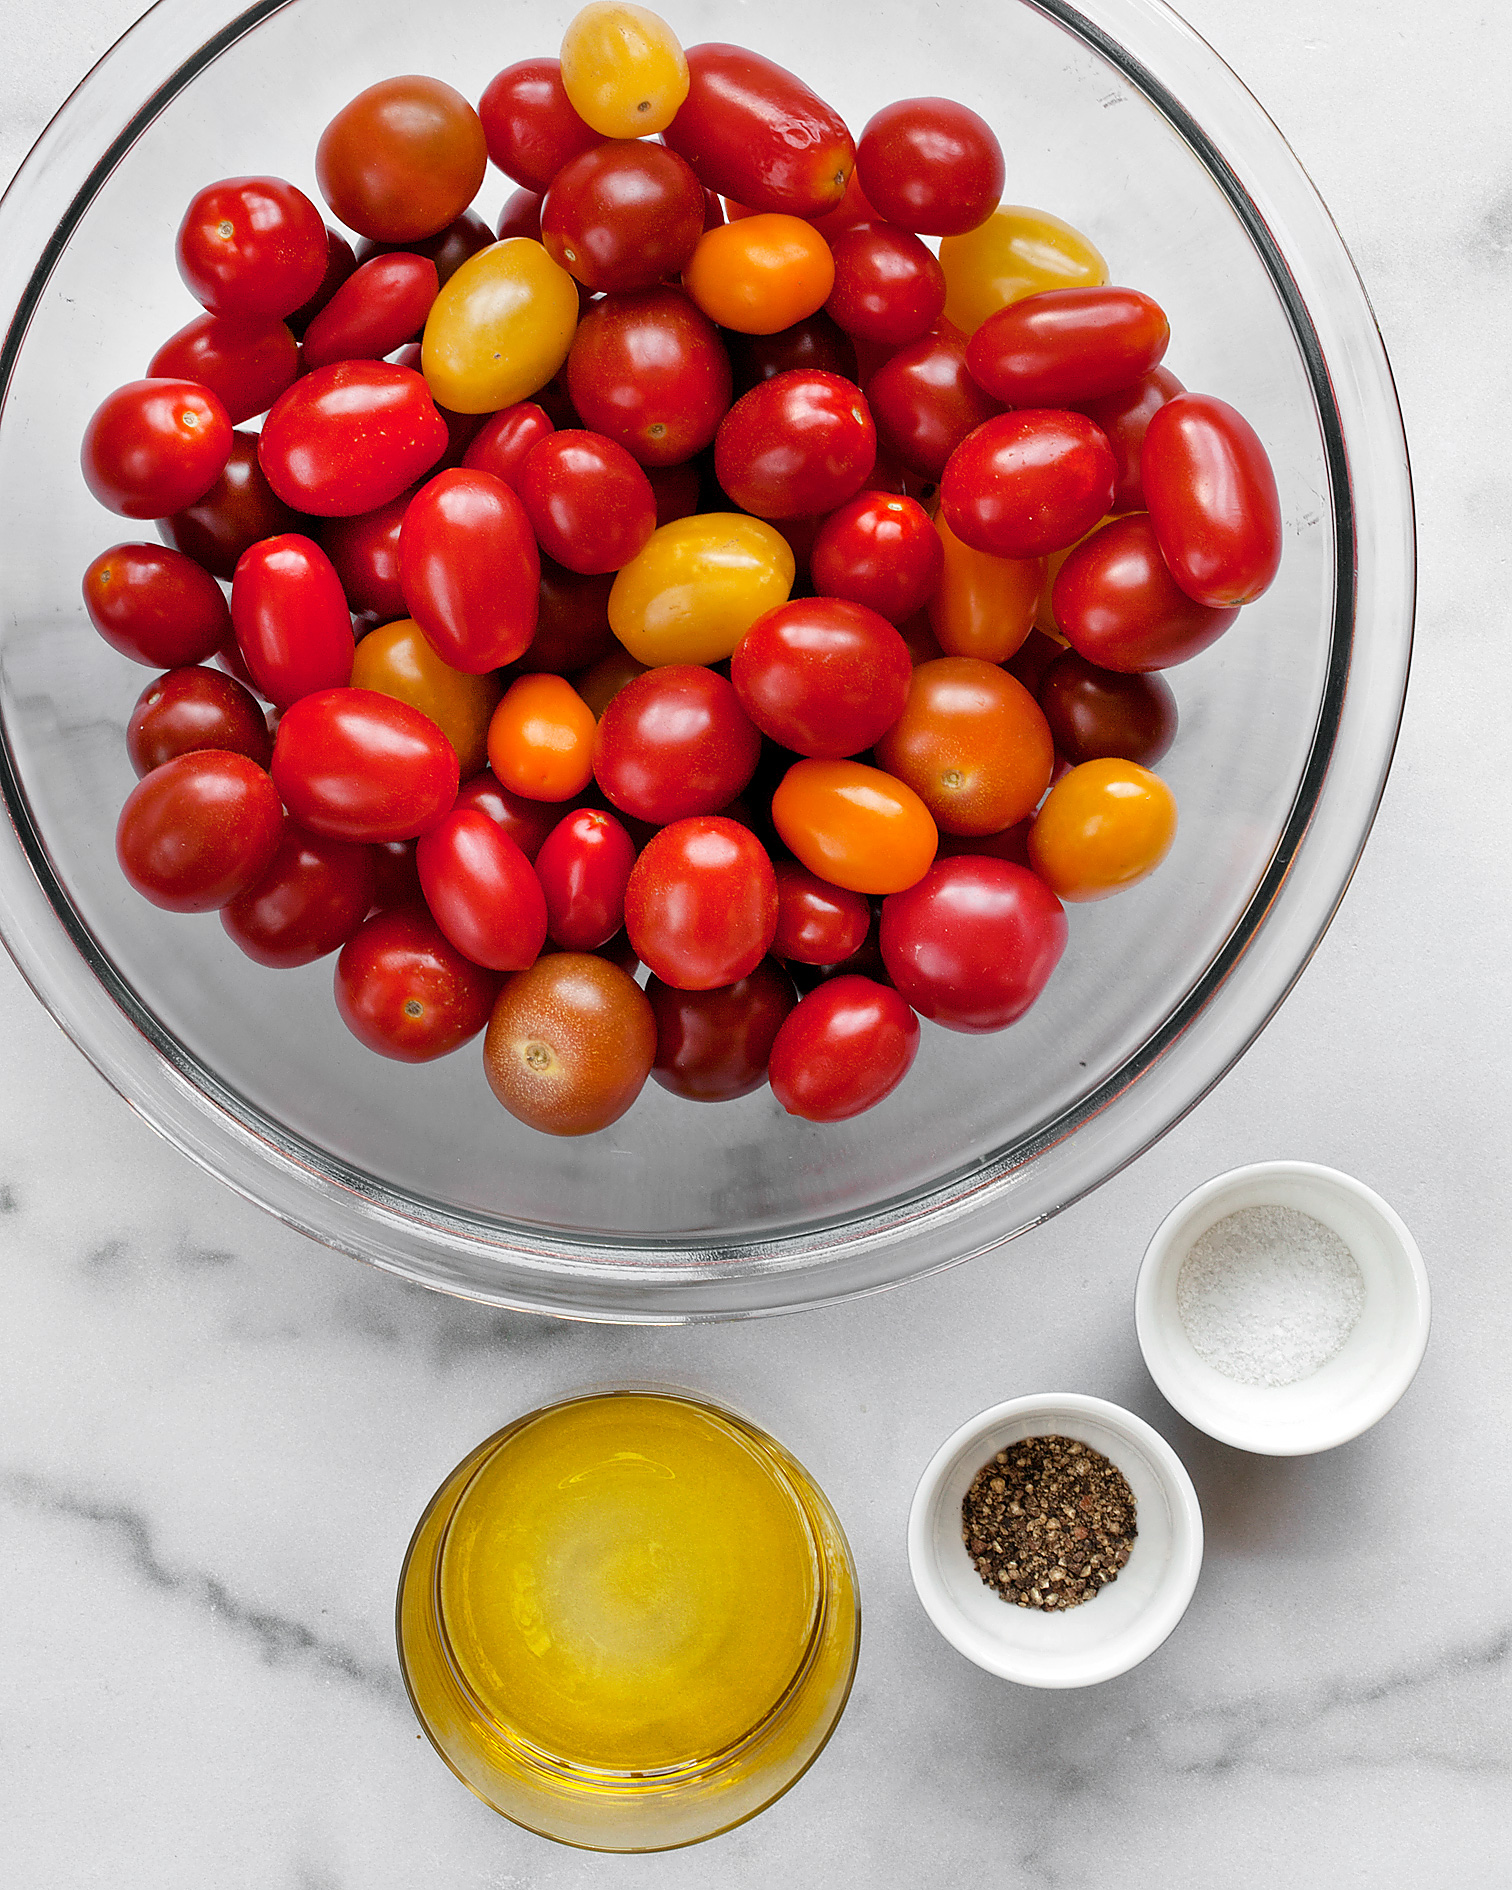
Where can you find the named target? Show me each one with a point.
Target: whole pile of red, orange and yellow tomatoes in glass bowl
(702, 574)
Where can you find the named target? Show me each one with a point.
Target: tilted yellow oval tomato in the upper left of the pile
(500, 328)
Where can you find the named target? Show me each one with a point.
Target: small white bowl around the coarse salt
(1345, 1396)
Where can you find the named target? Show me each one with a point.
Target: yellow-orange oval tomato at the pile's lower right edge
(1105, 827)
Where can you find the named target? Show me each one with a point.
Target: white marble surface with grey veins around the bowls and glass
(215, 1435)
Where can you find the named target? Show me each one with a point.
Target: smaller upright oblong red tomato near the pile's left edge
(292, 623)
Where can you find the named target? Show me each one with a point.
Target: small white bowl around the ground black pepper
(1124, 1623)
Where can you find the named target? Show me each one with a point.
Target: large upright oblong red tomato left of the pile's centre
(470, 570)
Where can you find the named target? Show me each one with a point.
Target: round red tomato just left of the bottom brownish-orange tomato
(407, 993)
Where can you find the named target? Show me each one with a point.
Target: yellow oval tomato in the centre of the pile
(698, 587)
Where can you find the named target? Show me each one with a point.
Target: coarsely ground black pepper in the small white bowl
(1048, 1522)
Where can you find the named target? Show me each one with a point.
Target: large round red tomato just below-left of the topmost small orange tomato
(647, 369)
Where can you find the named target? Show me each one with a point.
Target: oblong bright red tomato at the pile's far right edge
(1212, 500)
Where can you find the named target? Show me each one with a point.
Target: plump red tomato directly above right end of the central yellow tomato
(797, 445)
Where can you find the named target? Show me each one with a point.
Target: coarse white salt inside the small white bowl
(1269, 1296)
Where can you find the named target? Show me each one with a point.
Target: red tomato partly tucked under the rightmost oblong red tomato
(1118, 604)
